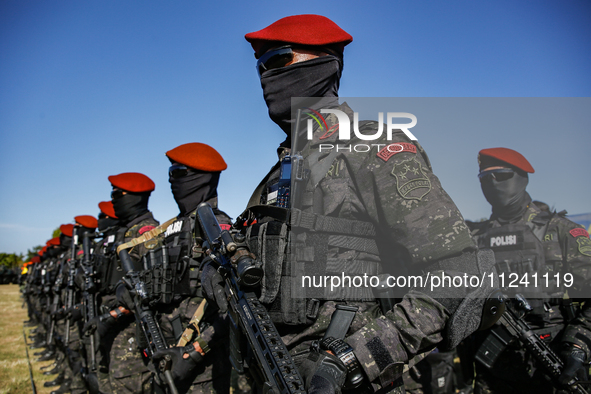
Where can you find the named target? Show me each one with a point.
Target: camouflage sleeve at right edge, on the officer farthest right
(577, 258)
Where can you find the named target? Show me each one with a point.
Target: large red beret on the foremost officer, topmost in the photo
(307, 29)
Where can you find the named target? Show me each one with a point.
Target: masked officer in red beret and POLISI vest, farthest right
(528, 240)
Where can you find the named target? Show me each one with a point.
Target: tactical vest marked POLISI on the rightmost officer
(520, 253)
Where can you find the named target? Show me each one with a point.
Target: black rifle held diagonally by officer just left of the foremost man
(145, 318)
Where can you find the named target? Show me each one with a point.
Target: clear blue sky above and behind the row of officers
(92, 89)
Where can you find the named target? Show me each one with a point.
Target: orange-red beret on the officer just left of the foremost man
(198, 156)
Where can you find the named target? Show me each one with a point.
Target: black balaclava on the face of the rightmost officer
(508, 198)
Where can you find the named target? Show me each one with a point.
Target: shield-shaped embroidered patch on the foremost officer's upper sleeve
(411, 181)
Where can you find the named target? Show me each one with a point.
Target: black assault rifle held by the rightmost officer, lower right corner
(513, 326)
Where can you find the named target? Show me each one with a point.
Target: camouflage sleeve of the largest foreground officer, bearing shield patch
(400, 193)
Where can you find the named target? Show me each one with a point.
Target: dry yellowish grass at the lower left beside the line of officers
(14, 366)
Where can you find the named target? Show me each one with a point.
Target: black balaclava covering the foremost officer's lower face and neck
(317, 77)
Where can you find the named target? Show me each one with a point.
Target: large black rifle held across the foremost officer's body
(273, 367)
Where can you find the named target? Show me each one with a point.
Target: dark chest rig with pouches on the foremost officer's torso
(293, 242)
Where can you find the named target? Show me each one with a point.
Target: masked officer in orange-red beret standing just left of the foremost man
(193, 327)
